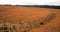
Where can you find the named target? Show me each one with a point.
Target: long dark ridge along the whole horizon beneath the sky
(38, 6)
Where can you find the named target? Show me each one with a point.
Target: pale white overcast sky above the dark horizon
(30, 2)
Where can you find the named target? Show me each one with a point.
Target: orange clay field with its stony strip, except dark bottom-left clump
(30, 19)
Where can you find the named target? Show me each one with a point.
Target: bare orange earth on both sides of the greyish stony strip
(14, 14)
